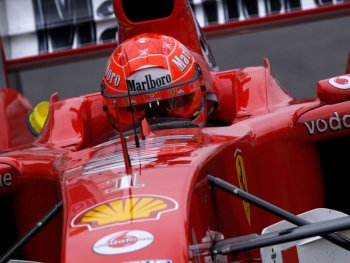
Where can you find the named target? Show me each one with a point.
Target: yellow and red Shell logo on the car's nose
(123, 210)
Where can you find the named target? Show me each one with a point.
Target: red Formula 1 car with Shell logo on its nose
(82, 192)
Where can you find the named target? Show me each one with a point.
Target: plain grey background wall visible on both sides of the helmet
(299, 55)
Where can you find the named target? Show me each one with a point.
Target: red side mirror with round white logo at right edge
(334, 90)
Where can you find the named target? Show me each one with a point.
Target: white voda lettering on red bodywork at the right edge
(334, 123)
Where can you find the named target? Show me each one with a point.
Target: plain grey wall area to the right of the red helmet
(299, 55)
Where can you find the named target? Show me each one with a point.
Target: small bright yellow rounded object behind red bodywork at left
(37, 117)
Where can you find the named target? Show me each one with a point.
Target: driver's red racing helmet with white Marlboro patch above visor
(153, 76)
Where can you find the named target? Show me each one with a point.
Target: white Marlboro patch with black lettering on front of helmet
(148, 79)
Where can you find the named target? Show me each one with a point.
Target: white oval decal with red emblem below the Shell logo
(123, 242)
